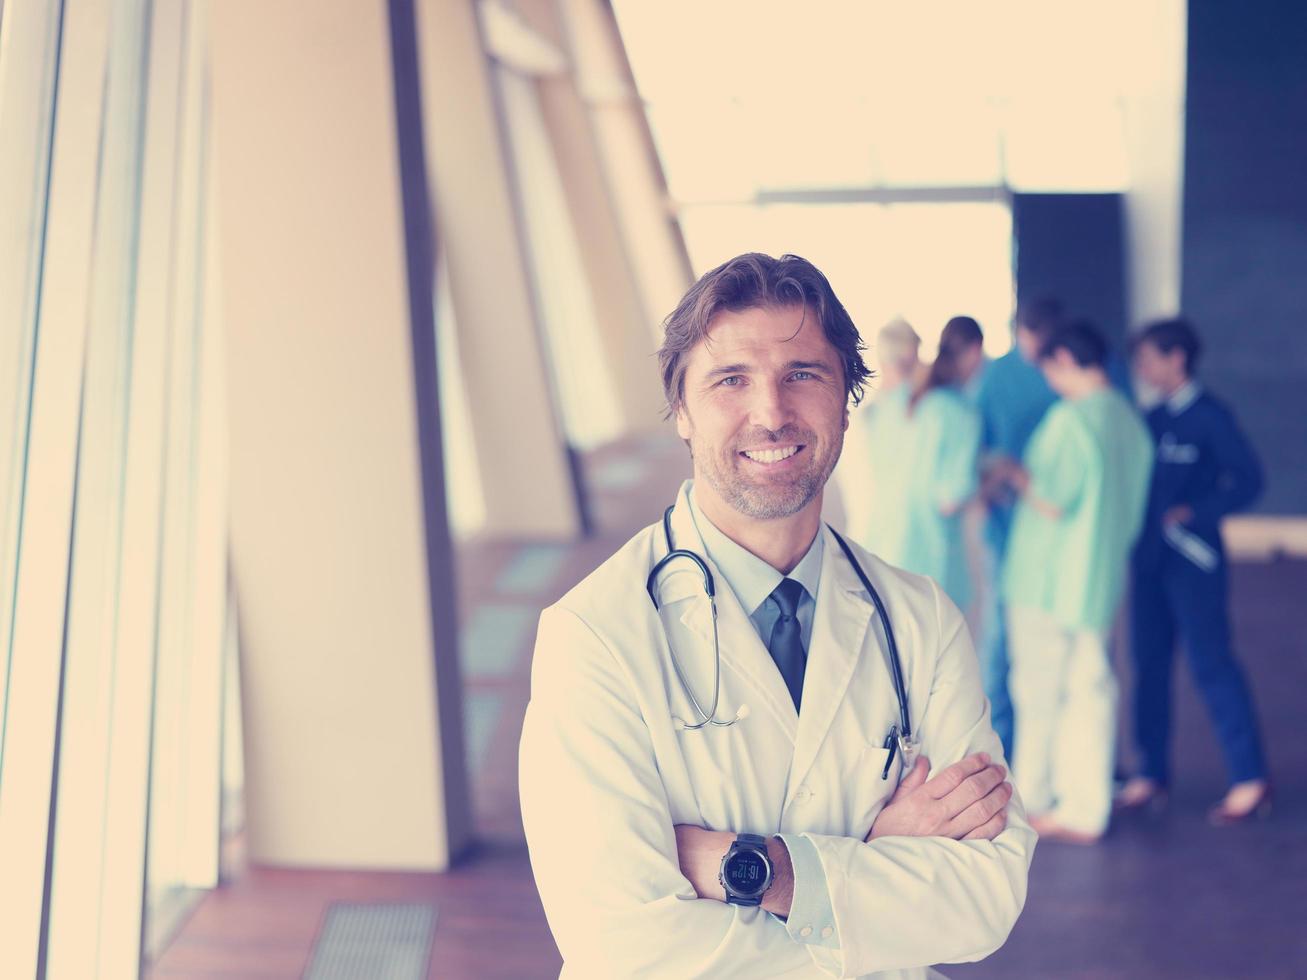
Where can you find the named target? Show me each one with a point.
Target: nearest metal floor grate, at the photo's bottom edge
(373, 943)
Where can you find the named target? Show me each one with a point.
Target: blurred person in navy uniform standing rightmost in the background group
(1204, 471)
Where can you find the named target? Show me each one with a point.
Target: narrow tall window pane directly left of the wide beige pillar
(189, 662)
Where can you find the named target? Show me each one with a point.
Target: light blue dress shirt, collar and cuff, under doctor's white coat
(753, 581)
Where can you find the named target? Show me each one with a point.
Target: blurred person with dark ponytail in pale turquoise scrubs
(944, 436)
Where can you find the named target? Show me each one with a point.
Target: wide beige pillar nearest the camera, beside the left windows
(329, 542)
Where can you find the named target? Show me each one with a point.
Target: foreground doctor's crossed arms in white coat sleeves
(608, 862)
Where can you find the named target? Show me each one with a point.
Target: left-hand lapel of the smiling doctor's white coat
(743, 650)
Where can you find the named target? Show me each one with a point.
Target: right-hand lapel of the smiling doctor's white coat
(840, 630)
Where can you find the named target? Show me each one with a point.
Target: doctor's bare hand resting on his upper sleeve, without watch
(967, 802)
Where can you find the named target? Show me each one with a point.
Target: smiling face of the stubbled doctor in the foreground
(765, 410)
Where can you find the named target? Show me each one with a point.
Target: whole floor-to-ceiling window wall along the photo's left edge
(113, 534)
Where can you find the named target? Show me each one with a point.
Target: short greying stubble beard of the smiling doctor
(759, 496)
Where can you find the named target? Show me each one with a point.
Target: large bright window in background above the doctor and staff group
(879, 140)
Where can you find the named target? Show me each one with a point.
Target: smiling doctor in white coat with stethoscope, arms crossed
(663, 731)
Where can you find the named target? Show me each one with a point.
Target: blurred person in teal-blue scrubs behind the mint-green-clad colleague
(1012, 399)
